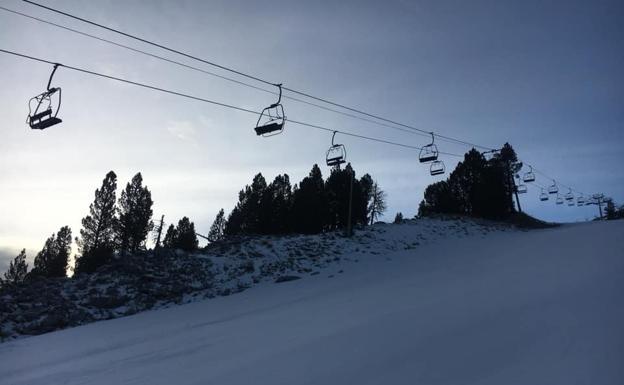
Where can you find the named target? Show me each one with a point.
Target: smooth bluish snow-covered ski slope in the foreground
(539, 307)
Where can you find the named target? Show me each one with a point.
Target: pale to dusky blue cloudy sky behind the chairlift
(546, 77)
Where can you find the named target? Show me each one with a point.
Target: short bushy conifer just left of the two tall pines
(53, 259)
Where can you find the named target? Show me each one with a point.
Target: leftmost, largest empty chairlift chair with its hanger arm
(45, 111)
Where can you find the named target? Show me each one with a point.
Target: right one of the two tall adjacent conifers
(135, 214)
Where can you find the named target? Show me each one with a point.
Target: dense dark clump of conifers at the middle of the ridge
(312, 206)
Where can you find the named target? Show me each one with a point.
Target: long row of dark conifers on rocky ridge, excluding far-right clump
(116, 227)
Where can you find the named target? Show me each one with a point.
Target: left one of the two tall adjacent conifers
(96, 242)
